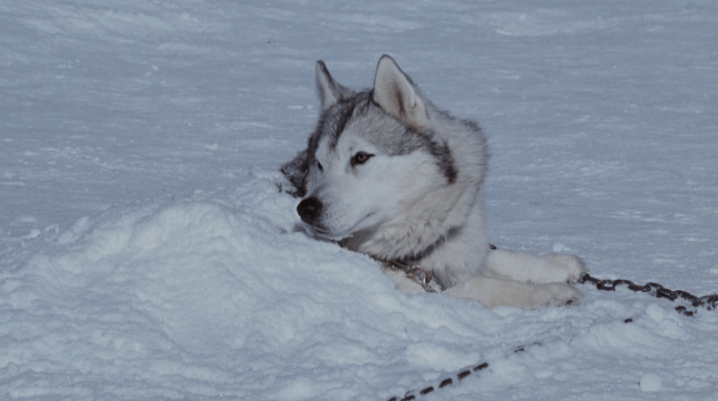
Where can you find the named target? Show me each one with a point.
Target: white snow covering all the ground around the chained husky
(146, 253)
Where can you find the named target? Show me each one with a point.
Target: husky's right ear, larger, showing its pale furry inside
(395, 93)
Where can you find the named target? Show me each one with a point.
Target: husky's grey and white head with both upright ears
(373, 158)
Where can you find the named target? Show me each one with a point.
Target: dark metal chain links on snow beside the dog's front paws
(709, 301)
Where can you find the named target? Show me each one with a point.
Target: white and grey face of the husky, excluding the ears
(356, 183)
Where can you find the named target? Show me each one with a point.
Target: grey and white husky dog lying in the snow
(389, 175)
